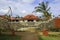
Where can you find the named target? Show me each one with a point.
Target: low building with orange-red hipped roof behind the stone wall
(27, 18)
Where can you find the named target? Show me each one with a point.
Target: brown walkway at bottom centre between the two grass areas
(29, 36)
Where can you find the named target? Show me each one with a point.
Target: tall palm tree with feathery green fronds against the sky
(43, 7)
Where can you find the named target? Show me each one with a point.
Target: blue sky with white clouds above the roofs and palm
(25, 7)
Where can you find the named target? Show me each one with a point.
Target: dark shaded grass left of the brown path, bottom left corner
(9, 37)
